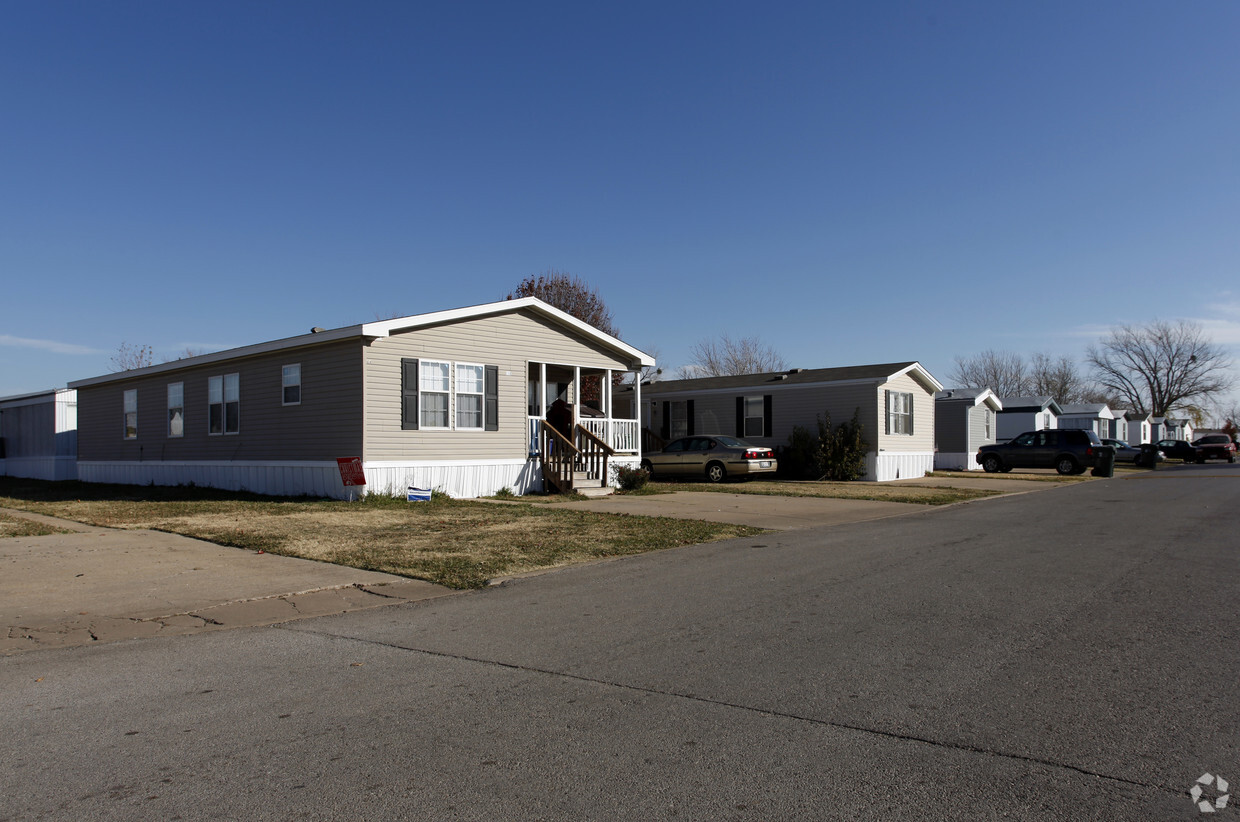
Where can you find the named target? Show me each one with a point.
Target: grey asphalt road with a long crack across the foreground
(1066, 655)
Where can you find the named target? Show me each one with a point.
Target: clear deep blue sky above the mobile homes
(852, 183)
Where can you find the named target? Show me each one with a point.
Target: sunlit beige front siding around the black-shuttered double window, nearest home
(509, 342)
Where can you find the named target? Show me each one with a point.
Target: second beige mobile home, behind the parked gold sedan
(895, 402)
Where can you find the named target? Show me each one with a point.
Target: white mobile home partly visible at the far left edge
(39, 436)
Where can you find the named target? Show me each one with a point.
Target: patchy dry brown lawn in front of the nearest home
(453, 542)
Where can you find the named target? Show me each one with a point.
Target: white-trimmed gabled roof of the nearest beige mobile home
(387, 328)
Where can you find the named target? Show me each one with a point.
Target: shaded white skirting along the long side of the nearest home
(276, 479)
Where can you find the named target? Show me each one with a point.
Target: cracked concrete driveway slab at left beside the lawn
(104, 585)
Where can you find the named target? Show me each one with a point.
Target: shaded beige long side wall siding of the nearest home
(325, 426)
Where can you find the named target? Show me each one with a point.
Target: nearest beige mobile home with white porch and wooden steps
(456, 401)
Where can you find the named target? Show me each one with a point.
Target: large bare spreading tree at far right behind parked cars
(1161, 366)
